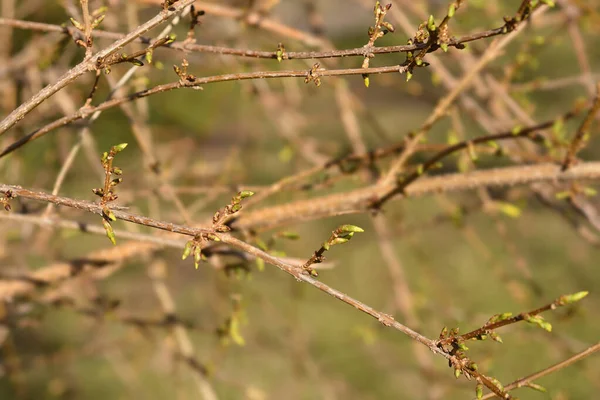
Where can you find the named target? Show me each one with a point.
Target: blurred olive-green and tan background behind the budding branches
(135, 321)
